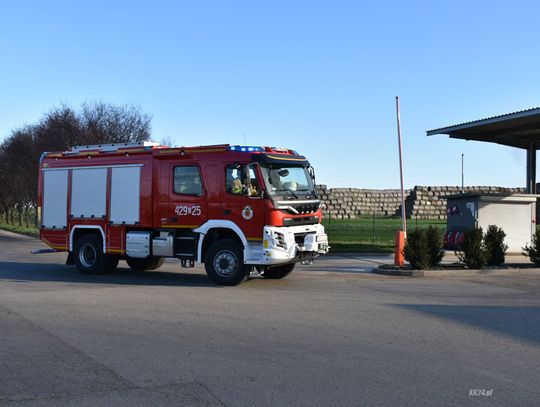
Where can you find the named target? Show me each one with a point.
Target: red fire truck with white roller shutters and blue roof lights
(233, 208)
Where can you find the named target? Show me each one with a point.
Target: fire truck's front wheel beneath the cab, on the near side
(224, 263)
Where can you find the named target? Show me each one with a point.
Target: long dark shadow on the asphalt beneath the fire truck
(23, 272)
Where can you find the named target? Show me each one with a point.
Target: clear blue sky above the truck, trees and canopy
(316, 76)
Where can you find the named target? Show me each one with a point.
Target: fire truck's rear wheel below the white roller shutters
(89, 257)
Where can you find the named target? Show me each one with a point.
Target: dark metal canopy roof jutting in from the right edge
(519, 129)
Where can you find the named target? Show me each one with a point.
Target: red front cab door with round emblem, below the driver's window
(243, 201)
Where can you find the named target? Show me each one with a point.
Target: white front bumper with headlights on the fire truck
(288, 244)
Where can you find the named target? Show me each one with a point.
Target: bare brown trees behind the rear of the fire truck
(58, 130)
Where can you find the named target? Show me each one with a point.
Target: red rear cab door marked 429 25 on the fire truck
(186, 207)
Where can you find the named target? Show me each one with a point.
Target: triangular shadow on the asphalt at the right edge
(519, 322)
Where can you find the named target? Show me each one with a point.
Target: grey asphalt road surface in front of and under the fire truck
(331, 334)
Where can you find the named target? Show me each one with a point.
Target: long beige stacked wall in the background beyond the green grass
(421, 202)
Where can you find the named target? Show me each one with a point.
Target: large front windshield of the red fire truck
(289, 182)
